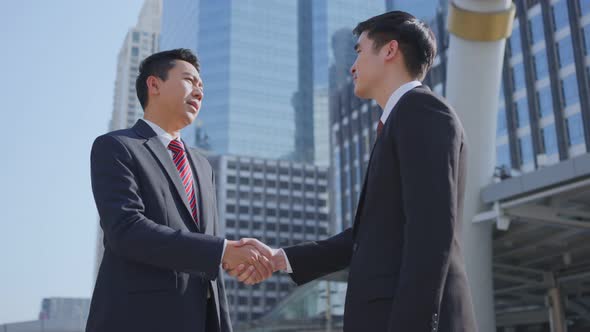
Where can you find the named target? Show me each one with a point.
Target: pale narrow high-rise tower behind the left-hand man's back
(141, 41)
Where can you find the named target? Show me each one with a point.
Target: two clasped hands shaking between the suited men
(251, 261)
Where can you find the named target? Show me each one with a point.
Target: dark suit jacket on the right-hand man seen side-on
(406, 270)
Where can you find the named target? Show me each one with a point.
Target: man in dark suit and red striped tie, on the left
(156, 200)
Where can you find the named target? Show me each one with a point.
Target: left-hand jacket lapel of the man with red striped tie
(161, 153)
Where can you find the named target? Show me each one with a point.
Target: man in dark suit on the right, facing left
(406, 269)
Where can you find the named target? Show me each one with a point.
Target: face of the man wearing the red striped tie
(181, 94)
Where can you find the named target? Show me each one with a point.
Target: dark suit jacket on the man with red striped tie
(158, 266)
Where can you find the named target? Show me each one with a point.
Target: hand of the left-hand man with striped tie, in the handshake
(247, 259)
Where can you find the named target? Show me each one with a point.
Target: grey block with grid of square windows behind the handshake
(279, 202)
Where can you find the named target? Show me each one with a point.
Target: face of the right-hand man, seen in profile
(367, 69)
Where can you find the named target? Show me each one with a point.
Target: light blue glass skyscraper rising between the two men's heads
(248, 56)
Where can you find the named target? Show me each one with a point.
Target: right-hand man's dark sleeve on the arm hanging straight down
(428, 143)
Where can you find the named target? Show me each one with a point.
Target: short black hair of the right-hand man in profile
(416, 40)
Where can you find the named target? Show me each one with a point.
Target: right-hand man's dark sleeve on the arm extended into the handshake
(312, 260)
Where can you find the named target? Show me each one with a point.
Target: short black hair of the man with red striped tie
(158, 64)
